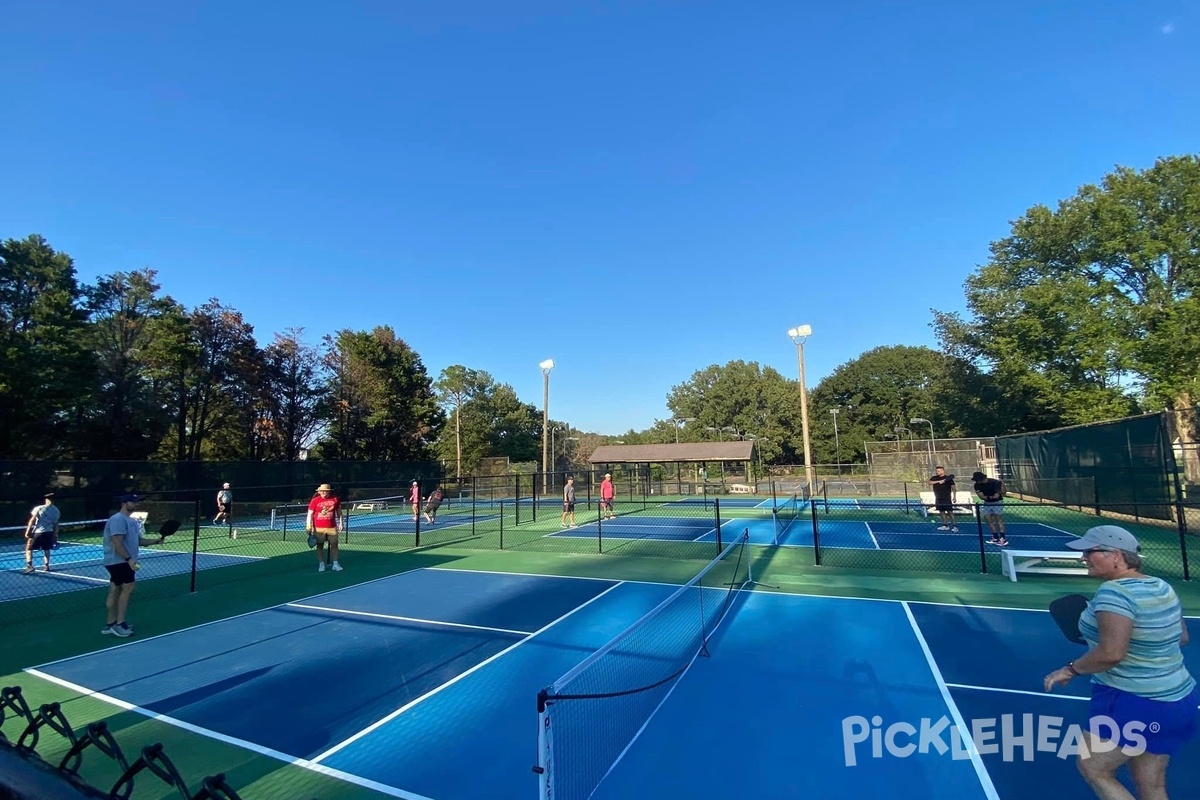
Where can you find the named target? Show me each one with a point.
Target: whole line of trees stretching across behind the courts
(1084, 312)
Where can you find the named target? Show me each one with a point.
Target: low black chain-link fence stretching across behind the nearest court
(267, 537)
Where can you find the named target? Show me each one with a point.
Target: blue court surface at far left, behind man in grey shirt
(81, 567)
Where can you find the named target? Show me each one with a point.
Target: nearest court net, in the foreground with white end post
(590, 717)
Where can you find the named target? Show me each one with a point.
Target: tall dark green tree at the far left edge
(46, 378)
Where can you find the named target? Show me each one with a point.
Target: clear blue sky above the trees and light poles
(638, 189)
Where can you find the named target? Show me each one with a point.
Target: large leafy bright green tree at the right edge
(1090, 311)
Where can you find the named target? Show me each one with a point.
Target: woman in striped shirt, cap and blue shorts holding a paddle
(1144, 700)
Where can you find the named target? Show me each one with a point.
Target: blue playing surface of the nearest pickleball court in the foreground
(424, 687)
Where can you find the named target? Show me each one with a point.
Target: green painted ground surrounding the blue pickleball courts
(274, 578)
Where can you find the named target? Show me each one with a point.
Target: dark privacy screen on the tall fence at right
(1126, 465)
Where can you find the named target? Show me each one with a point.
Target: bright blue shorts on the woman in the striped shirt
(1165, 725)
